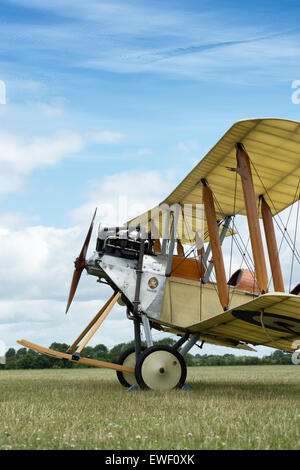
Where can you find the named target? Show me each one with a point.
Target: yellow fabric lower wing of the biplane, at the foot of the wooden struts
(270, 320)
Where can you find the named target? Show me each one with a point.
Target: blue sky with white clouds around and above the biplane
(110, 104)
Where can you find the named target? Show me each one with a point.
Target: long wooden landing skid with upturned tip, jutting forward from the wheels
(81, 360)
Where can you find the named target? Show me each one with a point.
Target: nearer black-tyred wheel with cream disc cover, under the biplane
(160, 368)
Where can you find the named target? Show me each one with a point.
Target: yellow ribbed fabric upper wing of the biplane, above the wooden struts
(273, 146)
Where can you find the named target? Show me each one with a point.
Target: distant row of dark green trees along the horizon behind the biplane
(24, 358)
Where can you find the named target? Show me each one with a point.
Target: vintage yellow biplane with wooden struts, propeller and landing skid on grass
(168, 269)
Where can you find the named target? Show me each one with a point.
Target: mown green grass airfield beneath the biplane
(254, 407)
